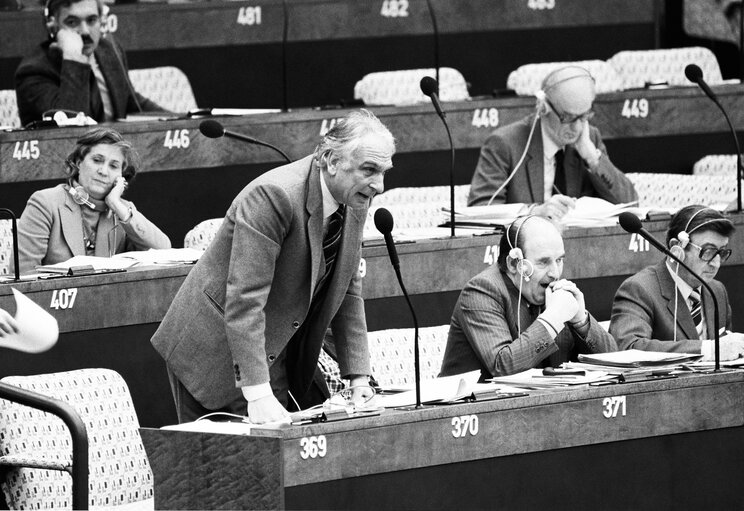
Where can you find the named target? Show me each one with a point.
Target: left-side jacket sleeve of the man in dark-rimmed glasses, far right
(637, 321)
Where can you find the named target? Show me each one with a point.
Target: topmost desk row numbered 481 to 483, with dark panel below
(208, 39)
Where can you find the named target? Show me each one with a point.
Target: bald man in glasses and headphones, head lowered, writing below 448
(552, 156)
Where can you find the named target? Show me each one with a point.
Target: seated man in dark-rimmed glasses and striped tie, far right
(665, 308)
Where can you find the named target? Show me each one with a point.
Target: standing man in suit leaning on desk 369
(245, 330)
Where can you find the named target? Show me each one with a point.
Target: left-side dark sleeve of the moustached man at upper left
(40, 88)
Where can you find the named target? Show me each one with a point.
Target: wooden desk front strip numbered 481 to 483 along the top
(222, 23)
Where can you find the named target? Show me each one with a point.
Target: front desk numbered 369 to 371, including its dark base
(645, 445)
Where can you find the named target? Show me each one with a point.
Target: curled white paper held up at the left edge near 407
(37, 329)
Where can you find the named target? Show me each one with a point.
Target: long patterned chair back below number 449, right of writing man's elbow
(675, 191)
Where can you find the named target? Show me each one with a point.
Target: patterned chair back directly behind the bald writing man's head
(527, 79)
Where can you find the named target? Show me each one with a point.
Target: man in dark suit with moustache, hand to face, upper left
(77, 69)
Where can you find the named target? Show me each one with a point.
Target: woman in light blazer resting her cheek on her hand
(87, 215)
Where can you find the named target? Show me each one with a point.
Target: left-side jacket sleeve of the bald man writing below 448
(494, 165)
